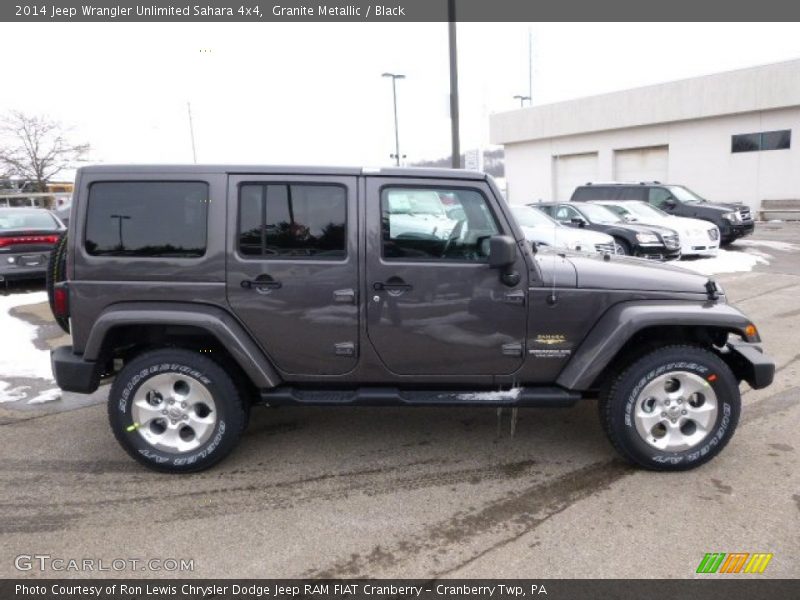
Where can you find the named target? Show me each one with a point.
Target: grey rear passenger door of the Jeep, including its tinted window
(293, 269)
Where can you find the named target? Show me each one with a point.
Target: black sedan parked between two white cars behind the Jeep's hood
(646, 241)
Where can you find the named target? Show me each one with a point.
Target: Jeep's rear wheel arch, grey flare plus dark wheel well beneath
(151, 324)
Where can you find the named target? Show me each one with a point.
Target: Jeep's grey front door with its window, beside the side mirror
(434, 306)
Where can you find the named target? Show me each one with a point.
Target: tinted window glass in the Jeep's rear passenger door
(280, 220)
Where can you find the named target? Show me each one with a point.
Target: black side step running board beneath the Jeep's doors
(392, 396)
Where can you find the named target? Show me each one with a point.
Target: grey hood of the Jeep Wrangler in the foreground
(627, 273)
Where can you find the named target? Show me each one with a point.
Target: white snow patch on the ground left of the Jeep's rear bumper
(18, 356)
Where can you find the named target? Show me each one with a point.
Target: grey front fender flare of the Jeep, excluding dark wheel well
(622, 321)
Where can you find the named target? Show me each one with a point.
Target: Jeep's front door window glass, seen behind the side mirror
(435, 224)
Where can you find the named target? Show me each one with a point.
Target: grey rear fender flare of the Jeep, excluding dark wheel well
(216, 321)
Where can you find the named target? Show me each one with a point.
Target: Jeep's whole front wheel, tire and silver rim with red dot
(673, 409)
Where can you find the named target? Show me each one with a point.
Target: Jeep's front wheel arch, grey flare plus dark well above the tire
(629, 329)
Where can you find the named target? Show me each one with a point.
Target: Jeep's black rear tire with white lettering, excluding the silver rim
(230, 406)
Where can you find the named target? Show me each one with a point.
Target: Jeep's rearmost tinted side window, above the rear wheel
(147, 219)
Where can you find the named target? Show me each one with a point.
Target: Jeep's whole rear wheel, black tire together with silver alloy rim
(177, 411)
